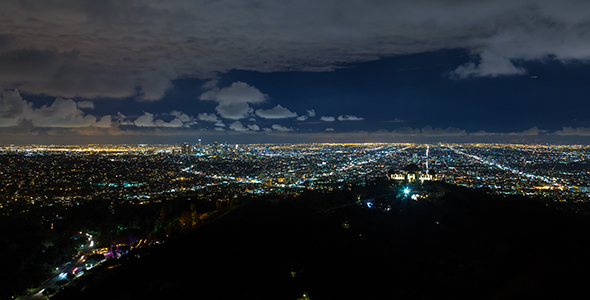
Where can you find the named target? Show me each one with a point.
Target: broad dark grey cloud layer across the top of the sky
(91, 49)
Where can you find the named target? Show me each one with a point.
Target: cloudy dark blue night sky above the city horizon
(89, 71)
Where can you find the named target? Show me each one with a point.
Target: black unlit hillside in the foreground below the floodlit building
(458, 244)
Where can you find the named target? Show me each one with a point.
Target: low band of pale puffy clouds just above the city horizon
(66, 117)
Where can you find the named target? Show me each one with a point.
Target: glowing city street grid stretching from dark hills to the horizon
(49, 175)
